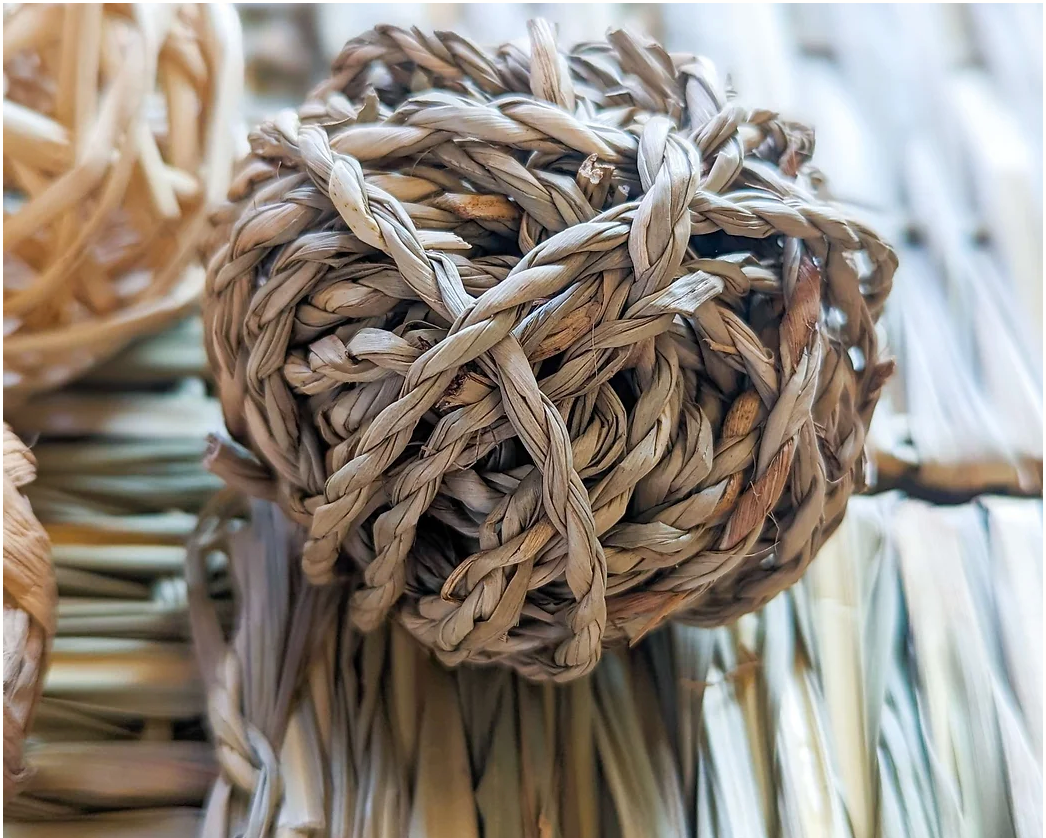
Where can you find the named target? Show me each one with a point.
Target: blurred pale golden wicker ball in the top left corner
(120, 135)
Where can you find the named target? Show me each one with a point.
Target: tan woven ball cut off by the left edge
(30, 596)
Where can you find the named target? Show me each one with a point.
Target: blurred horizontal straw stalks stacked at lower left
(120, 478)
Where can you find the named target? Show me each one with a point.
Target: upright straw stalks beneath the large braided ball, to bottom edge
(875, 698)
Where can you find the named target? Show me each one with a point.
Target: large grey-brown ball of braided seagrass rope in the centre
(544, 348)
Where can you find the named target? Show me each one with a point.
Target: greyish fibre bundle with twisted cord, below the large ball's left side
(254, 677)
